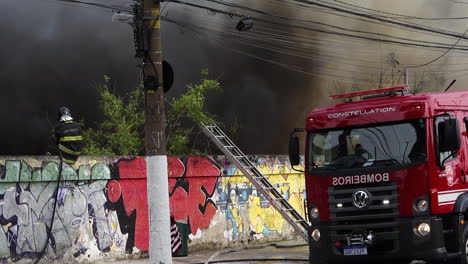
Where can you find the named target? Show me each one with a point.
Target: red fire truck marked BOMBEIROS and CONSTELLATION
(385, 177)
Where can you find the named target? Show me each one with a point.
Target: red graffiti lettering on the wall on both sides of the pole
(192, 183)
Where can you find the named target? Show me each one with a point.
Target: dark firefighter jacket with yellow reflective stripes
(70, 140)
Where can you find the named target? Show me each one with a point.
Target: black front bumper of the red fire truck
(405, 244)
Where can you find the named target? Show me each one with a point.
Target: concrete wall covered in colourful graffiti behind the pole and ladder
(101, 210)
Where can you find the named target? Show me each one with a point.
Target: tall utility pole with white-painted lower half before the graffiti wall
(155, 140)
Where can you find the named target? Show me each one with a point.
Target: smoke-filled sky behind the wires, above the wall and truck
(55, 54)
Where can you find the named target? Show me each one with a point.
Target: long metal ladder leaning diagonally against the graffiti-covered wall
(262, 184)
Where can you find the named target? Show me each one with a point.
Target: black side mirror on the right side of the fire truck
(449, 135)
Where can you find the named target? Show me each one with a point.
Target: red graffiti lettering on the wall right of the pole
(191, 197)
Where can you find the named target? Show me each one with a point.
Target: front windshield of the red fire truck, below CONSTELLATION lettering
(386, 144)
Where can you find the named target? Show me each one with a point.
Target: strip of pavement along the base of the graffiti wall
(278, 252)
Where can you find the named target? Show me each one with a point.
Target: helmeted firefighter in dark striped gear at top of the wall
(67, 137)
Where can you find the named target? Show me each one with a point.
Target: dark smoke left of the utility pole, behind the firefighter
(51, 55)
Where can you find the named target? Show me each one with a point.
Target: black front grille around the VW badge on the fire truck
(377, 217)
